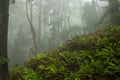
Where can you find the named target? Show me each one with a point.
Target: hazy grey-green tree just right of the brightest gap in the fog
(89, 17)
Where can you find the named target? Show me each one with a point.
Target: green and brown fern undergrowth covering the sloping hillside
(94, 56)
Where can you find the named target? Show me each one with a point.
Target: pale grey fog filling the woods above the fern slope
(36, 26)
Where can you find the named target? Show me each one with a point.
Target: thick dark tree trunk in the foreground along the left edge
(4, 10)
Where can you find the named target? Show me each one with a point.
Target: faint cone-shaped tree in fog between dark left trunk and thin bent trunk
(21, 46)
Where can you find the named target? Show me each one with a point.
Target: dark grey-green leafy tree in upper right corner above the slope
(112, 15)
